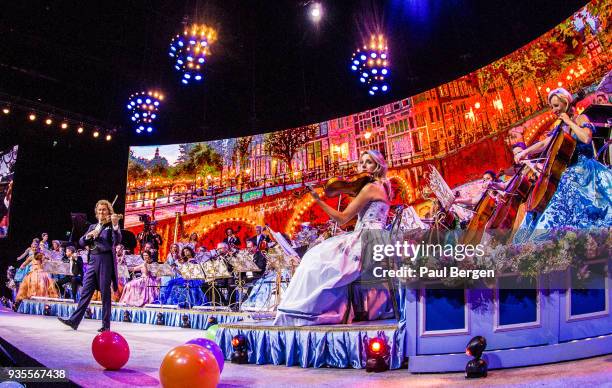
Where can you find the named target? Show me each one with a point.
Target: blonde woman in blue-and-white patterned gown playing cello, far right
(584, 193)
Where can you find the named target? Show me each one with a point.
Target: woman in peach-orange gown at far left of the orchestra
(37, 282)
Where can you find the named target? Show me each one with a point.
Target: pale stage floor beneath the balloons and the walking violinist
(57, 346)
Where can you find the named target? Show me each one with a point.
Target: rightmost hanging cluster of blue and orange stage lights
(371, 65)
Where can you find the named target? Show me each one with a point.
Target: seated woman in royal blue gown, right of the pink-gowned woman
(181, 292)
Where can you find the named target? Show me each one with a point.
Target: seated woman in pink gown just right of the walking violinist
(144, 289)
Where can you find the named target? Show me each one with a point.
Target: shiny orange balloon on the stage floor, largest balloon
(189, 366)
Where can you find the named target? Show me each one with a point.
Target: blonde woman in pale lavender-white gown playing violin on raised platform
(318, 291)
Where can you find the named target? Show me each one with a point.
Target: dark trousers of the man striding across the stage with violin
(97, 277)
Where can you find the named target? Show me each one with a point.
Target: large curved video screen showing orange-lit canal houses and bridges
(462, 128)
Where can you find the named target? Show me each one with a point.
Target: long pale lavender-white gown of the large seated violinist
(318, 292)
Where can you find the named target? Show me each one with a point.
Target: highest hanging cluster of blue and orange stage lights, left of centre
(190, 51)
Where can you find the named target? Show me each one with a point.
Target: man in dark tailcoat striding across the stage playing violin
(101, 238)
